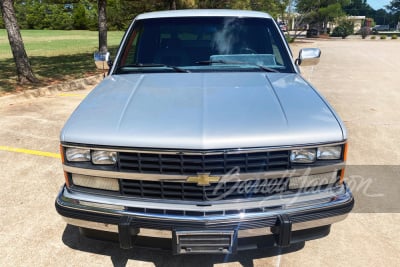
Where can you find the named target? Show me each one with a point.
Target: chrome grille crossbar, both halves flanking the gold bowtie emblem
(230, 177)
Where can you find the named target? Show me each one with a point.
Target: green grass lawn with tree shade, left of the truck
(55, 56)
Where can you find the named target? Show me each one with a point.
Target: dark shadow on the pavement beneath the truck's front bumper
(119, 257)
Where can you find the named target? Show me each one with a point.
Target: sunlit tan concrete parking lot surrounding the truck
(360, 78)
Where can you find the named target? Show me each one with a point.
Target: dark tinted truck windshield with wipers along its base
(196, 44)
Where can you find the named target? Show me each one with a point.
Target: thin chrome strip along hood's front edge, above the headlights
(201, 152)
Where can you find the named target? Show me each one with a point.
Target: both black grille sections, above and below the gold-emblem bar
(193, 164)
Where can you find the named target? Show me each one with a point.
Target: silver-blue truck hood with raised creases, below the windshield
(203, 111)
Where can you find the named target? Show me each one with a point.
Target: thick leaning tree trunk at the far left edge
(24, 70)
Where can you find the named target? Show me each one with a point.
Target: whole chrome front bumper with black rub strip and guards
(250, 218)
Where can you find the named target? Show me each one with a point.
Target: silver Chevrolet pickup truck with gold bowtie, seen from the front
(204, 133)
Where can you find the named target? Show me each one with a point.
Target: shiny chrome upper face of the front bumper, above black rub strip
(290, 204)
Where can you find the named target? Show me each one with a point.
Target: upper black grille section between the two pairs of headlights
(222, 163)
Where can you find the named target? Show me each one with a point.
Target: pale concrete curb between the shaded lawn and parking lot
(51, 90)
